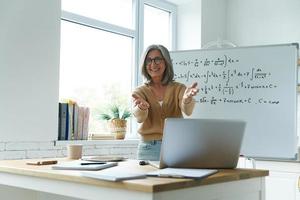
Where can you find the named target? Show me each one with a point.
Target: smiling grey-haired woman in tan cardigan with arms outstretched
(160, 97)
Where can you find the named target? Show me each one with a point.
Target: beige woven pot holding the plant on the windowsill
(118, 128)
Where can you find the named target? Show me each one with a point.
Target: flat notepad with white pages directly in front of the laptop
(182, 173)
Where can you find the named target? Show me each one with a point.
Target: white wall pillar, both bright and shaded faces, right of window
(200, 22)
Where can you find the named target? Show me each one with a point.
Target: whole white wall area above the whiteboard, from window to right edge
(245, 23)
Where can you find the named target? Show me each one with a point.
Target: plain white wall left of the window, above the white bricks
(29, 69)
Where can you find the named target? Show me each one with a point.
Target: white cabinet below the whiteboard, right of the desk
(283, 180)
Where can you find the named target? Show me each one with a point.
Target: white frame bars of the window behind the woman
(136, 34)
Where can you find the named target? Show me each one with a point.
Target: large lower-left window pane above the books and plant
(90, 65)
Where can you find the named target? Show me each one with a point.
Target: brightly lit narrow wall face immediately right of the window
(189, 25)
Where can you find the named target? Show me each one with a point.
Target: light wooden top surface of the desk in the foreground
(149, 184)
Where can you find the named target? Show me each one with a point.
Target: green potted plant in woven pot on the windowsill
(117, 121)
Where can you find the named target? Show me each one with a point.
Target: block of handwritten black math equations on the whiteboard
(225, 85)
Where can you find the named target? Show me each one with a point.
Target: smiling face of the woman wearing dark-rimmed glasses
(155, 64)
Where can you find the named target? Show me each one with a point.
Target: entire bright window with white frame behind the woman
(101, 41)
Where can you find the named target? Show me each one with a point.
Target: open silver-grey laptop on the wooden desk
(201, 143)
